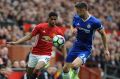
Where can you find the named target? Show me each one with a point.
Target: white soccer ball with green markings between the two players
(58, 41)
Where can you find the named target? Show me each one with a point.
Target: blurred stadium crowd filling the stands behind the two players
(18, 17)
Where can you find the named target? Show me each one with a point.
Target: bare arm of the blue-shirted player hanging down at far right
(104, 39)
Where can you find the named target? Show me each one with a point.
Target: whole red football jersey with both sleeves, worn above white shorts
(45, 33)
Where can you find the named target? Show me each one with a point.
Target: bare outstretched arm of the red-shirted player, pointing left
(23, 39)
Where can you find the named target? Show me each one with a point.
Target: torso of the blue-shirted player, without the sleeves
(85, 31)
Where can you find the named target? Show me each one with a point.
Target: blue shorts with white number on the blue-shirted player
(78, 50)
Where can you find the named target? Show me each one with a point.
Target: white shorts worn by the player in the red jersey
(34, 59)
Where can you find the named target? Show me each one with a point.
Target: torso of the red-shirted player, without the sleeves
(44, 39)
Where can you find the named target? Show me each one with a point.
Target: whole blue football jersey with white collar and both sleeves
(86, 30)
